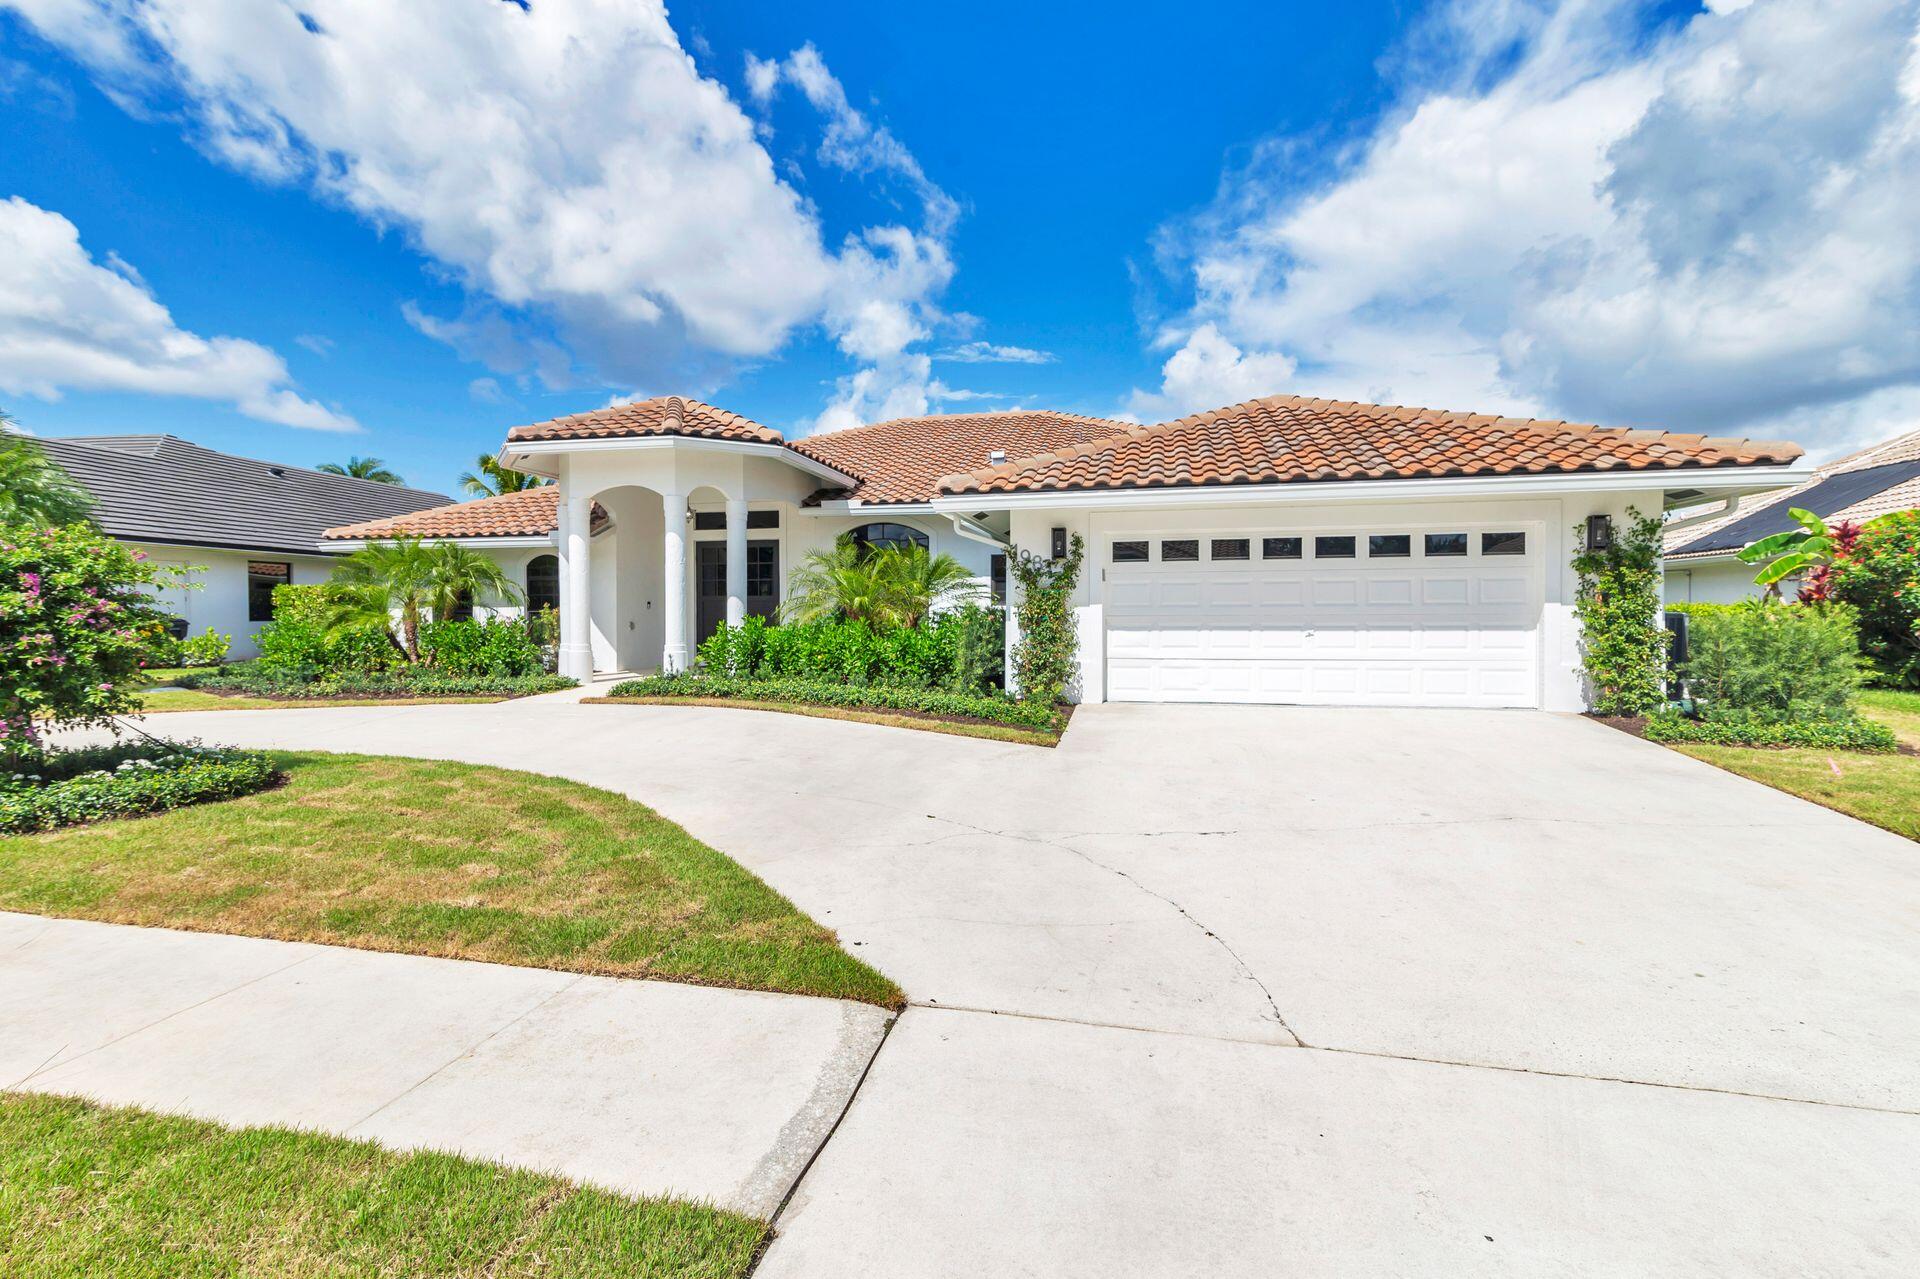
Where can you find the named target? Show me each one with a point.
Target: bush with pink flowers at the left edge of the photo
(78, 617)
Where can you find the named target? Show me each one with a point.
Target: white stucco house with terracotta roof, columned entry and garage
(1282, 550)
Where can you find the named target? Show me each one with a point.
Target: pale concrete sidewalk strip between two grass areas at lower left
(646, 1088)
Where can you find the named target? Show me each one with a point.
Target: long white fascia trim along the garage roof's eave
(1742, 481)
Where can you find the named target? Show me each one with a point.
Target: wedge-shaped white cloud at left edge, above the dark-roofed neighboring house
(74, 324)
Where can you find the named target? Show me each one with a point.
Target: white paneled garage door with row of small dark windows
(1443, 617)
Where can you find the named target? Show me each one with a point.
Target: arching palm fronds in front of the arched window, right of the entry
(884, 587)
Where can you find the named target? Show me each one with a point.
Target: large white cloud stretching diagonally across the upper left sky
(612, 212)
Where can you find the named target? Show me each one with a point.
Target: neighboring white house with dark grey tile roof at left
(239, 525)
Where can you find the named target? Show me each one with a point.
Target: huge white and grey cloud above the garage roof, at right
(1710, 229)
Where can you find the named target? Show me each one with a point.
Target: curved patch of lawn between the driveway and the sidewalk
(443, 859)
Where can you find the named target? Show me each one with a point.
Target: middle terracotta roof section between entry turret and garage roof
(907, 458)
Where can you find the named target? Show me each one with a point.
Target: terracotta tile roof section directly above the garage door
(1289, 439)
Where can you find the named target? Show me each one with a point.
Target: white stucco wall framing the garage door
(1548, 519)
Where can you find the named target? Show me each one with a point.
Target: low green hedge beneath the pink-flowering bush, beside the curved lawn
(130, 779)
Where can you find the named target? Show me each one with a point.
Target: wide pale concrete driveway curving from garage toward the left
(1343, 992)
